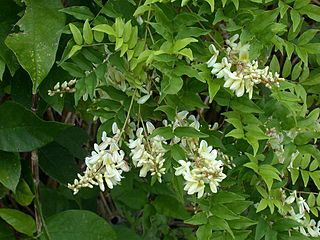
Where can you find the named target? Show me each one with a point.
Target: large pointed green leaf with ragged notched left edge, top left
(37, 42)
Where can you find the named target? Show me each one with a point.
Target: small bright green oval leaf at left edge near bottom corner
(20, 221)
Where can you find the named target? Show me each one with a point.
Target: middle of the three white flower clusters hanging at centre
(148, 152)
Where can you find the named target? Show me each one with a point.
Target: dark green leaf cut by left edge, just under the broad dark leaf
(10, 170)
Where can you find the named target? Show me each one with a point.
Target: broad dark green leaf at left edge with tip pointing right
(22, 131)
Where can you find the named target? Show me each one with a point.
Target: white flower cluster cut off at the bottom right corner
(308, 227)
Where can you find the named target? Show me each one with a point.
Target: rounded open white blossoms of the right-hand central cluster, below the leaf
(201, 168)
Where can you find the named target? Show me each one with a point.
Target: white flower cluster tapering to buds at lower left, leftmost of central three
(105, 165)
